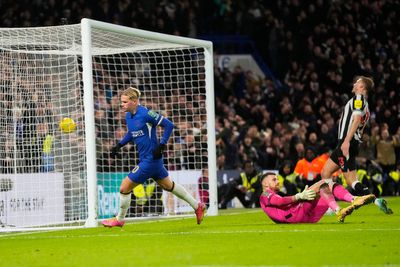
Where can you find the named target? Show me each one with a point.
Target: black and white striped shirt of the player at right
(356, 105)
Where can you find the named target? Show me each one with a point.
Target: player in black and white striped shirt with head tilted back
(354, 118)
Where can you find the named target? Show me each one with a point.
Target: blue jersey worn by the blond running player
(142, 131)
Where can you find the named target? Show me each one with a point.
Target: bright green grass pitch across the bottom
(237, 237)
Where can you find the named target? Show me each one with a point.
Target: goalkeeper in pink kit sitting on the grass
(308, 206)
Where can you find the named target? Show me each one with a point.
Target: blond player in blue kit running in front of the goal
(141, 123)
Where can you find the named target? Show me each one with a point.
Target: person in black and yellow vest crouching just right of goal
(246, 188)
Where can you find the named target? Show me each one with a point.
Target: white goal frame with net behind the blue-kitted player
(50, 179)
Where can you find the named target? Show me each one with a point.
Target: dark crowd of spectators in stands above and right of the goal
(315, 48)
